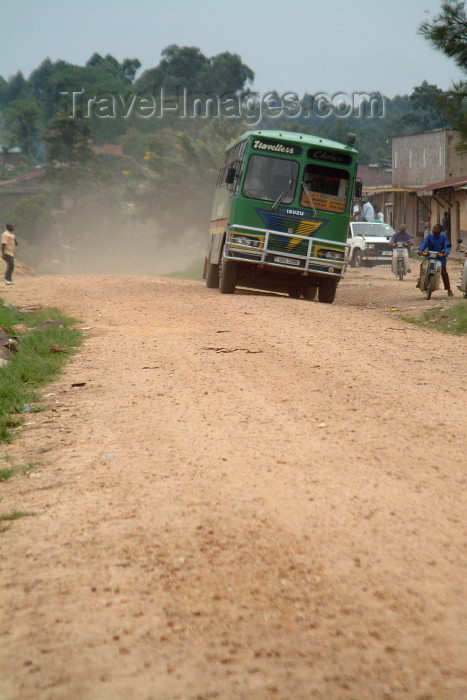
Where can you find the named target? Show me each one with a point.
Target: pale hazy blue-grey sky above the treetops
(299, 46)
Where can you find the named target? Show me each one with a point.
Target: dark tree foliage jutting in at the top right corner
(448, 33)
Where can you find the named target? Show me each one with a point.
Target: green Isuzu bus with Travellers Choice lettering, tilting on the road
(281, 213)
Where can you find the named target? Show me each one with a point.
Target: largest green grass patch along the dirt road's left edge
(41, 355)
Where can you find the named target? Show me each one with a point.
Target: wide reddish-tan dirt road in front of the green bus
(250, 497)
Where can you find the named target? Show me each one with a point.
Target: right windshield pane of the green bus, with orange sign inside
(325, 188)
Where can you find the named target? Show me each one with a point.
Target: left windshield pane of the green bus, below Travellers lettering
(267, 177)
